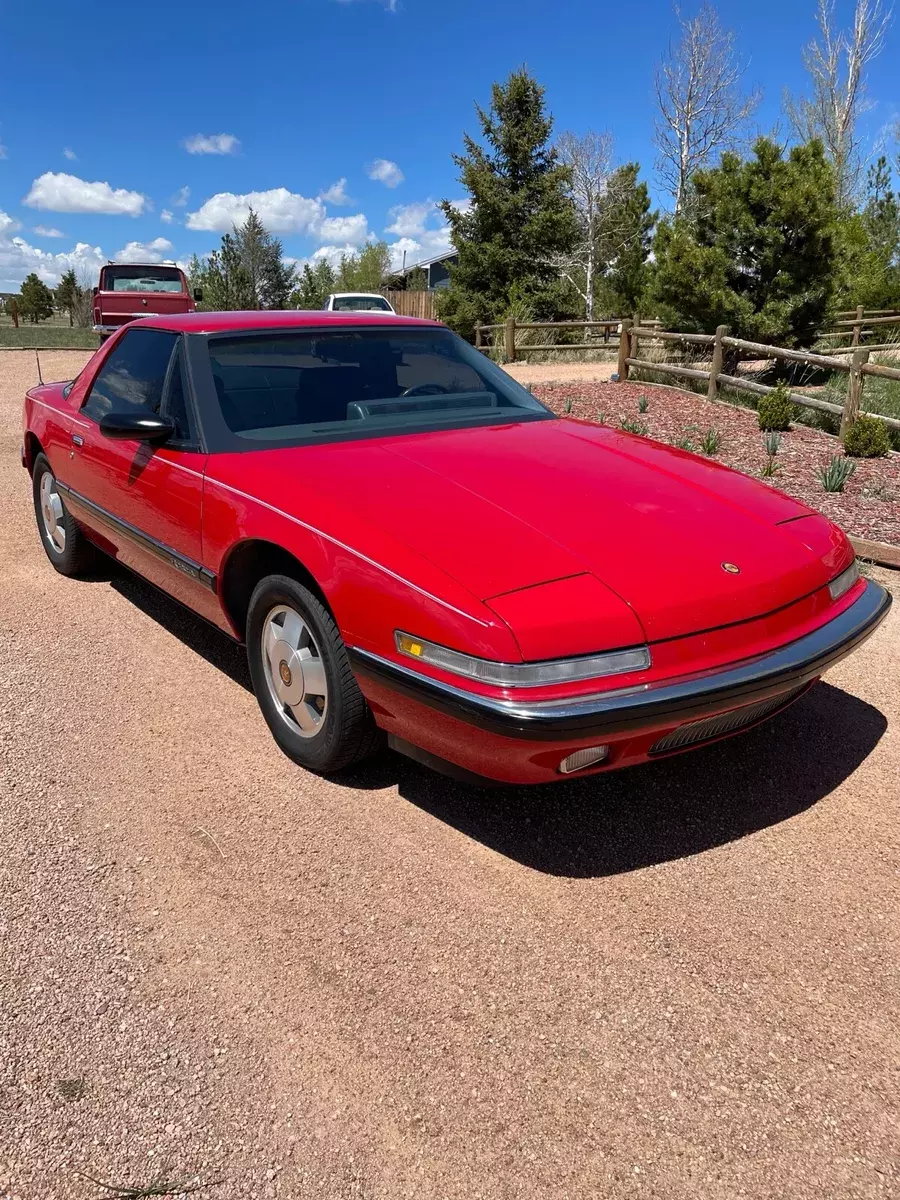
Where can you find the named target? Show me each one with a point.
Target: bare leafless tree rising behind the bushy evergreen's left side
(700, 99)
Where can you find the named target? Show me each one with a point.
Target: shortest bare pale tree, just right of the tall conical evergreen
(590, 161)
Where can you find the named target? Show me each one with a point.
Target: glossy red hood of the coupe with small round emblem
(507, 508)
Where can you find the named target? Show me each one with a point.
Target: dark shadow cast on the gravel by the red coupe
(616, 823)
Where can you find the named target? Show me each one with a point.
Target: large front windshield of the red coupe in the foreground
(297, 387)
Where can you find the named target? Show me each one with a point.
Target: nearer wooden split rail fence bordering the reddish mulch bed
(859, 369)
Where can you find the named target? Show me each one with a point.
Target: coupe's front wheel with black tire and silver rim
(303, 679)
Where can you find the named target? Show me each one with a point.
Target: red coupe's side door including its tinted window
(143, 501)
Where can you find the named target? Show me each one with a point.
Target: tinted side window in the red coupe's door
(134, 375)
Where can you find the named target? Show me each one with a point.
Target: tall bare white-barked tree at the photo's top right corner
(837, 62)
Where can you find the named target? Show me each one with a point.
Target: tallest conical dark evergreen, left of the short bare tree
(521, 219)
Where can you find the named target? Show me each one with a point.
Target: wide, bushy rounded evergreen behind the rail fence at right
(758, 251)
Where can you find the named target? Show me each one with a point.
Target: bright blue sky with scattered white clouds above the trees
(101, 109)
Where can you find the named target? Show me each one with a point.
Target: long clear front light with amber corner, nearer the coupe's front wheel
(524, 675)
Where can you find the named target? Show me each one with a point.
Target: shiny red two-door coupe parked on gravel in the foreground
(411, 545)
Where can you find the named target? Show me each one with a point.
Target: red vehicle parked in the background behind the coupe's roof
(129, 291)
